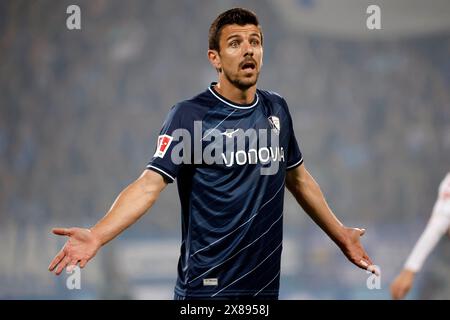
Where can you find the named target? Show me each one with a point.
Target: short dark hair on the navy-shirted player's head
(239, 16)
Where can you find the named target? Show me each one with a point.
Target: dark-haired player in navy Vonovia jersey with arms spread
(232, 150)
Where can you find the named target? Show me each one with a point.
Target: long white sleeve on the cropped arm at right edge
(437, 226)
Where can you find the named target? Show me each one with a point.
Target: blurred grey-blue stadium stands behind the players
(80, 112)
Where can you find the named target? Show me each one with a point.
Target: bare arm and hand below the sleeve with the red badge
(83, 244)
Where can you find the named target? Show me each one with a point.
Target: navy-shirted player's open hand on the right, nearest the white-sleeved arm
(354, 251)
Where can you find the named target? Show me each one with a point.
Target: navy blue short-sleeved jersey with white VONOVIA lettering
(230, 162)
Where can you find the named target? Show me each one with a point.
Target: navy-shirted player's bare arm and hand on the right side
(308, 194)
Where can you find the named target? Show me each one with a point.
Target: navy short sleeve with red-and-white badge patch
(166, 159)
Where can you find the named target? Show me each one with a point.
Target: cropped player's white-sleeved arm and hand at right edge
(437, 226)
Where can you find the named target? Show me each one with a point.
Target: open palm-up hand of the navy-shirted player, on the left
(81, 247)
